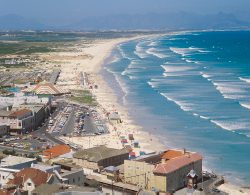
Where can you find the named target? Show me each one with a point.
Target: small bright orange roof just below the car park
(56, 151)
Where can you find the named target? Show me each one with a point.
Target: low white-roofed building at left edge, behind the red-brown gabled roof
(17, 162)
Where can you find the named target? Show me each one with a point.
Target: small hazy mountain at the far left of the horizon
(16, 22)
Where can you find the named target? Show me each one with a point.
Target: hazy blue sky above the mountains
(63, 12)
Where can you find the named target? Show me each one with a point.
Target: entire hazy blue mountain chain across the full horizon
(153, 21)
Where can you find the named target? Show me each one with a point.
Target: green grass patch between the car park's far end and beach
(83, 97)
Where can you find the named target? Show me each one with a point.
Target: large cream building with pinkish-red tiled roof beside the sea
(165, 172)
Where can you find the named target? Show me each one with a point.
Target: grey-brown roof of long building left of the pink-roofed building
(98, 153)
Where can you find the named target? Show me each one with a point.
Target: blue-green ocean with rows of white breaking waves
(191, 89)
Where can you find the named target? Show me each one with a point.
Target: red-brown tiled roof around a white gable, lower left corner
(37, 176)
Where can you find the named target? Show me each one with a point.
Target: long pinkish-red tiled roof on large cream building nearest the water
(176, 163)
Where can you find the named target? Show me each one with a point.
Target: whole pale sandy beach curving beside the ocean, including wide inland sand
(90, 59)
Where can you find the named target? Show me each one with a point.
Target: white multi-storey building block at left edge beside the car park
(24, 113)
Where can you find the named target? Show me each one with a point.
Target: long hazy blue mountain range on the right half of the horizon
(182, 20)
